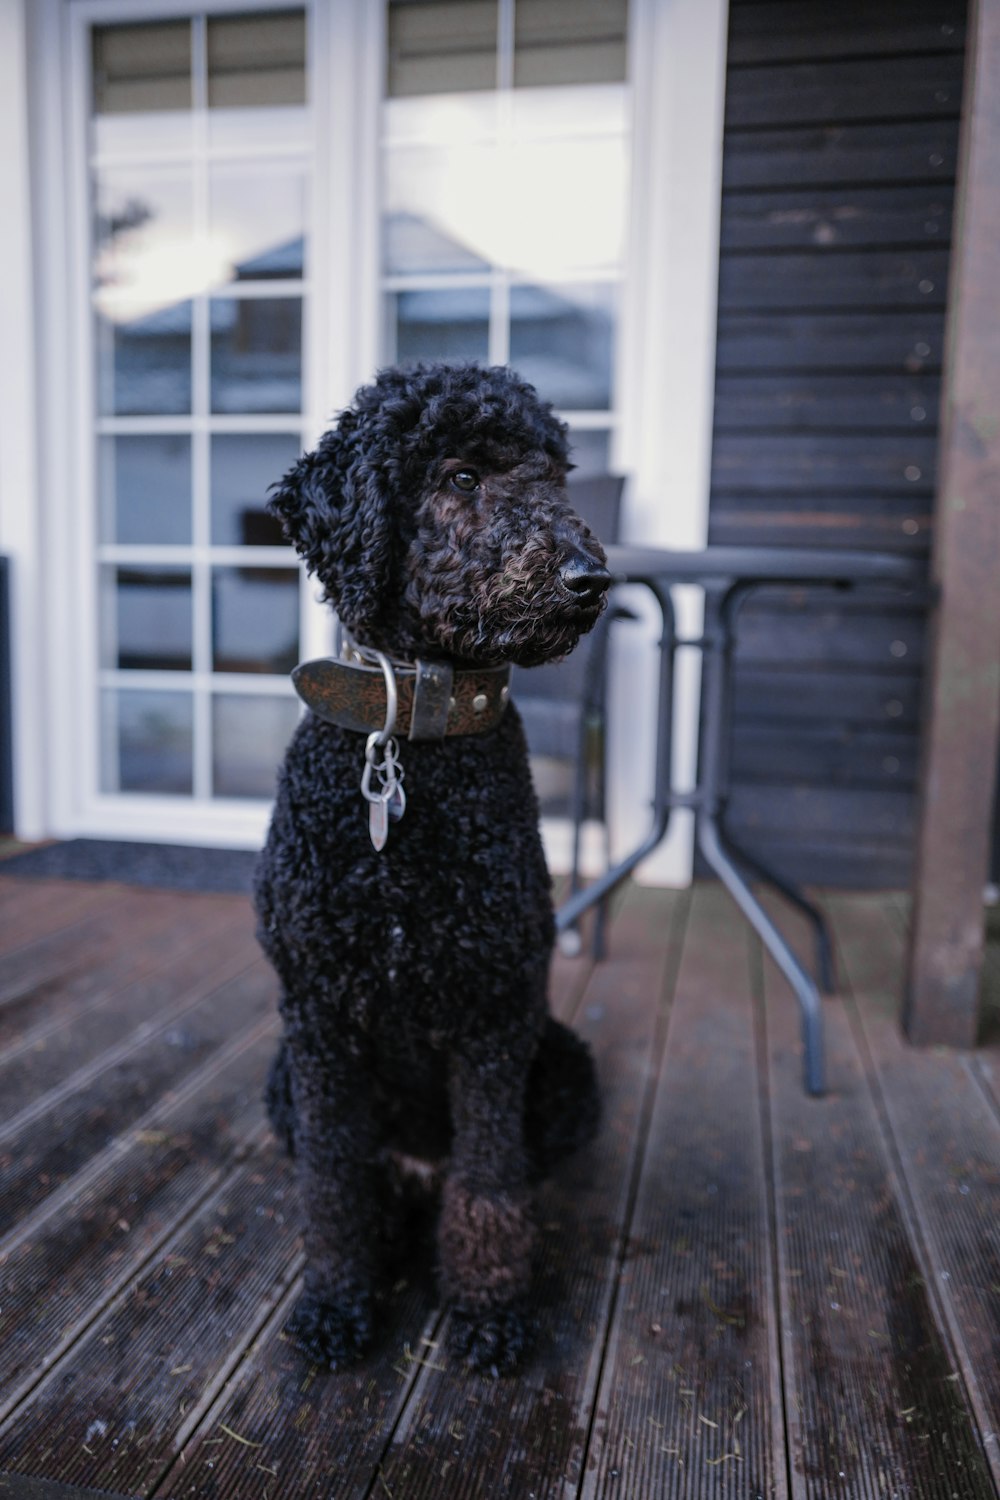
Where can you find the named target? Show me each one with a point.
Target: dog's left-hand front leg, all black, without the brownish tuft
(335, 1150)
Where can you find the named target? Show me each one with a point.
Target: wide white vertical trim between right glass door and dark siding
(668, 389)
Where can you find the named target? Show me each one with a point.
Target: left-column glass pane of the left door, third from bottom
(145, 490)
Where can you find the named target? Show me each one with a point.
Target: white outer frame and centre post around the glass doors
(665, 373)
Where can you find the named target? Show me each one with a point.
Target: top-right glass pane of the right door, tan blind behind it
(570, 41)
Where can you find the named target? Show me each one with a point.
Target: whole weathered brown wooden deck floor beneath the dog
(744, 1292)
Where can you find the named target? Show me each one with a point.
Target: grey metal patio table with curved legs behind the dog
(728, 577)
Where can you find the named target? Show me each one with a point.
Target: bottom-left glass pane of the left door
(148, 742)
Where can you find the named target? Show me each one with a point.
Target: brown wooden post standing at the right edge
(963, 701)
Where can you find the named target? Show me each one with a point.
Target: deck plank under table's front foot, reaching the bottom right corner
(873, 1397)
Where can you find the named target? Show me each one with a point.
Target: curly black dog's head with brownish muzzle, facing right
(437, 520)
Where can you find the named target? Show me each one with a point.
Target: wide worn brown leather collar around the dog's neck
(436, 700)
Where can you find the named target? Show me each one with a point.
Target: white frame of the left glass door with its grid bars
(337, 355)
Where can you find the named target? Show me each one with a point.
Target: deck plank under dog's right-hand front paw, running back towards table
(527, 1436)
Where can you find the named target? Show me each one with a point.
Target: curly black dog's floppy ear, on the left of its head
(335, 509)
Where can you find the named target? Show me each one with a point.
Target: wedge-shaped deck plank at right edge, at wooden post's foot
(948, 1142)
